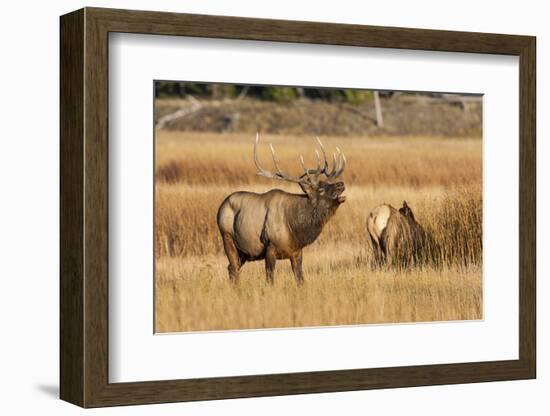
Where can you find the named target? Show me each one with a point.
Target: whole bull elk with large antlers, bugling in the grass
(277, 225)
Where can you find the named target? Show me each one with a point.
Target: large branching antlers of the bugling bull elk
(310, 175)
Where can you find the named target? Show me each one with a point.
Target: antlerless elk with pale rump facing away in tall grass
(398, 240)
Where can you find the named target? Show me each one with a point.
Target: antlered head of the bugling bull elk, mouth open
(319, 190)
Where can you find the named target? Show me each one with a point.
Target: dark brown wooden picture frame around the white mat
(84, 209)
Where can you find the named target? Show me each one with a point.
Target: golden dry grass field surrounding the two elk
(439, 178)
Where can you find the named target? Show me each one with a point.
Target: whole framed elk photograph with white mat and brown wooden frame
(260, 207)
